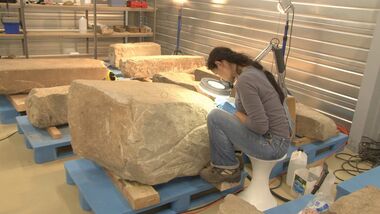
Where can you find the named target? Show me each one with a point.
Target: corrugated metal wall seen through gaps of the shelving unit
(62, 20)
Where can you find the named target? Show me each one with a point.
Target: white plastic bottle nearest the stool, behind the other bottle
(298, 160)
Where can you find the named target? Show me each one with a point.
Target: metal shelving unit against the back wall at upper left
(26, 34)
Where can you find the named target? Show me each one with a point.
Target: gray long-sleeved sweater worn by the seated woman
(257, 98)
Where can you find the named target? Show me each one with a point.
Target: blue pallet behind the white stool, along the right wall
(315, 151)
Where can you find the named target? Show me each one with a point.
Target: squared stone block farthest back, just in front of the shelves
(121, 51)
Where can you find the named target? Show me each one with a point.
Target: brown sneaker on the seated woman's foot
(217, 175)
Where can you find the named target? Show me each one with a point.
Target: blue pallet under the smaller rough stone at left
(45, 148)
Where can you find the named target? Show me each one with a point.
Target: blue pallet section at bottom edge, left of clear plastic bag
(291, 207)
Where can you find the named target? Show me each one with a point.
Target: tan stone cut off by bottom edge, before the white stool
(232, 204)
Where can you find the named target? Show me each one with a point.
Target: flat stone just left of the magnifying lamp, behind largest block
(182, 79)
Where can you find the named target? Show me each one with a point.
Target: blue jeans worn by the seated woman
(228, 134)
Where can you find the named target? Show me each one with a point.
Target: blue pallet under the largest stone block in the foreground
(98, 193)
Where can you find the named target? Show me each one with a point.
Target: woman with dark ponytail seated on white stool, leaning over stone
(260, 126)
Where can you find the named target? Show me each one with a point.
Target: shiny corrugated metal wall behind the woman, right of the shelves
(331, 40)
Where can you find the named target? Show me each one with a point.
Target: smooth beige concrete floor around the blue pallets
(26, 187)
